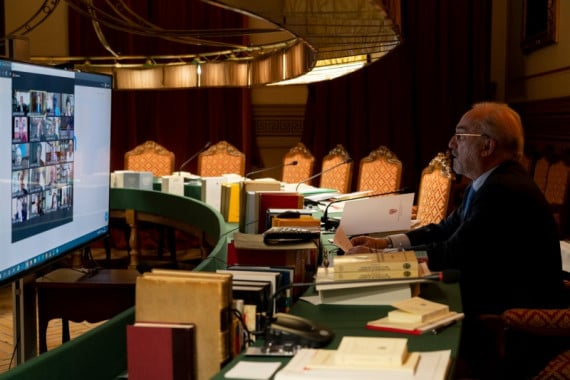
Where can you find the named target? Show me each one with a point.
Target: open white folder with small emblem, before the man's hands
(377, 214)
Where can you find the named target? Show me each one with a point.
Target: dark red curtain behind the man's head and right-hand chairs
(411, 99)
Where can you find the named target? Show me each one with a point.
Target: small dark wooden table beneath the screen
(74, 296)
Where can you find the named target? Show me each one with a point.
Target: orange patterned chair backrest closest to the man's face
(435, 189)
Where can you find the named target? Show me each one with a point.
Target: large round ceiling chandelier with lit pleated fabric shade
(293, 42)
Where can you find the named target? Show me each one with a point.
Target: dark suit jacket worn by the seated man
(507, 247)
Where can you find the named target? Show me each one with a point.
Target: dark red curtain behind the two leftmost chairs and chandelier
(180, 120)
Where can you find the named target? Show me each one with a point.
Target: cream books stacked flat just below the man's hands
(363, 262)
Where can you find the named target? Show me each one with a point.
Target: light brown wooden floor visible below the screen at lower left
(7, 356)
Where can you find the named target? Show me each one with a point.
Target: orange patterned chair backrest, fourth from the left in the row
(340, 177)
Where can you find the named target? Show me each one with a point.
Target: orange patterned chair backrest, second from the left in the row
(221, 158)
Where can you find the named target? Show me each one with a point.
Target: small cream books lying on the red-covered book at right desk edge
(417, 309)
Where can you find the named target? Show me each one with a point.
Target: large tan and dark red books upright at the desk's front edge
(177, 299)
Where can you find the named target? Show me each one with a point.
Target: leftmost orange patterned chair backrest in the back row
(151, 157)
